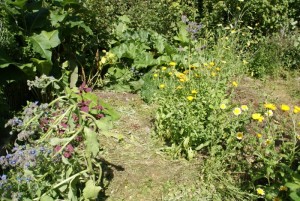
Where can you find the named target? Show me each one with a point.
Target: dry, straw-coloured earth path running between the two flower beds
(135, 167)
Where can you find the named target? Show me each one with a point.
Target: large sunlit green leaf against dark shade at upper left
(43, 43)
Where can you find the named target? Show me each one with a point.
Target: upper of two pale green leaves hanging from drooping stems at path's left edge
(91, 141)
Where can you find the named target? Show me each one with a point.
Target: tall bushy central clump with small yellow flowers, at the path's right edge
(190, 90)
